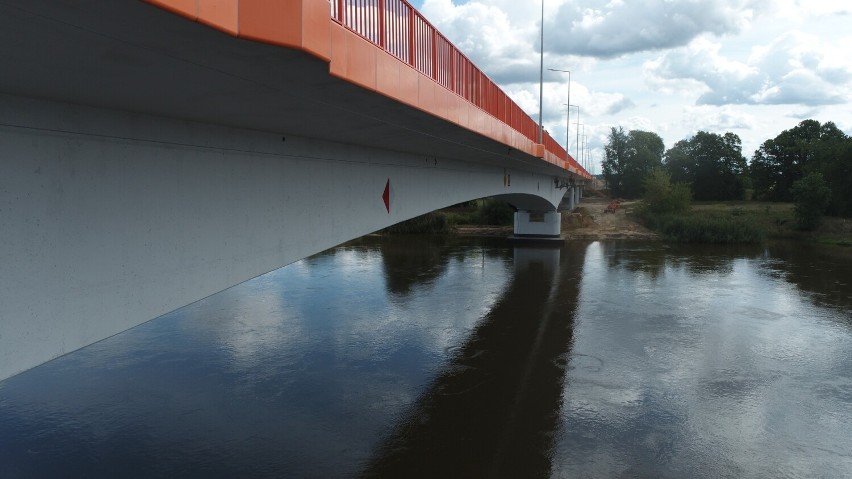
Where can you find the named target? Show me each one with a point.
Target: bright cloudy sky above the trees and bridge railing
(673, 67)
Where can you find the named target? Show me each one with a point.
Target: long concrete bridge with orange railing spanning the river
(156, 152)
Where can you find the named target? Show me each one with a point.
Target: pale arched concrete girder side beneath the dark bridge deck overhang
(109, 219)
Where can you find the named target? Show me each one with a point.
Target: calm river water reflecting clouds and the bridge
(466, 357)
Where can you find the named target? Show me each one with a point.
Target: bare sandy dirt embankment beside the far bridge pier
(591, 221)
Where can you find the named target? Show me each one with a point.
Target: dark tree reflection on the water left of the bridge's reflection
(409, 260)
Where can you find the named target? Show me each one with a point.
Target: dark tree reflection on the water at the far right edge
(825, 272)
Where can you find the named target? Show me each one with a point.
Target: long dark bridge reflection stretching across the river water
(493, 411)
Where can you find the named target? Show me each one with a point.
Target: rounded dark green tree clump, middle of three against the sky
(712, 164)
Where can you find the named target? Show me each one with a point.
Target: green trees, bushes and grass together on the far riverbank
(809, 166)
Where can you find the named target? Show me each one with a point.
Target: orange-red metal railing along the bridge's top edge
(399, 29)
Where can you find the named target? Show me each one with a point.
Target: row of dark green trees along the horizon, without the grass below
(811, 159)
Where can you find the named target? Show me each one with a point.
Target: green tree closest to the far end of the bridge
(629, 157)
